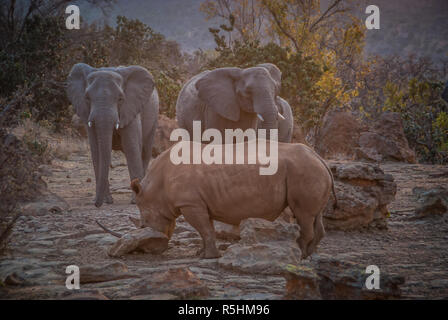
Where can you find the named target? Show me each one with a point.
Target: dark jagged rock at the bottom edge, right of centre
(329, 278)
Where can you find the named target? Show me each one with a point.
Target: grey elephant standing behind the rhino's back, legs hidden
(230, 98)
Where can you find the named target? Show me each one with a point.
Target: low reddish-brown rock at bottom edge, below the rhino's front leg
(178, 282)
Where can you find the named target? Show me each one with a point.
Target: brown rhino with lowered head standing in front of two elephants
(231, 193)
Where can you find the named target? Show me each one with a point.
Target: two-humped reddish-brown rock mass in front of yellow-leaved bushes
(344, 136)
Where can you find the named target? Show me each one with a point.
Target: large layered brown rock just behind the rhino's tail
(363, 192)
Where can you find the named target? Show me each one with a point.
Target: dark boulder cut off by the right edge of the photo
(431, 201)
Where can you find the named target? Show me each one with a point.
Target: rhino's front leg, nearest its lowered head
(199, 219)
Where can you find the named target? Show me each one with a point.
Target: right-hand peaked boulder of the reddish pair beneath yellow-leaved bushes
(385, 141)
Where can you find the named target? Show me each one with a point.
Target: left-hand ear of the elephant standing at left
(76, 87)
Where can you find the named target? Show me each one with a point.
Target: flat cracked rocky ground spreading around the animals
(54, 233)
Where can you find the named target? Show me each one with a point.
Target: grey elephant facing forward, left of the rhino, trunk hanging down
(119, 107)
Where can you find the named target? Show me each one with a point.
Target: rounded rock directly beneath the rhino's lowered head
(145, 240)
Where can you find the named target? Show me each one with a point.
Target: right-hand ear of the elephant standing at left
(138, 85)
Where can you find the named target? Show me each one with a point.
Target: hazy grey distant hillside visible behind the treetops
(407, 26)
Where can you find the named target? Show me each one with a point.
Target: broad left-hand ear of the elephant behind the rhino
(217, 90)
